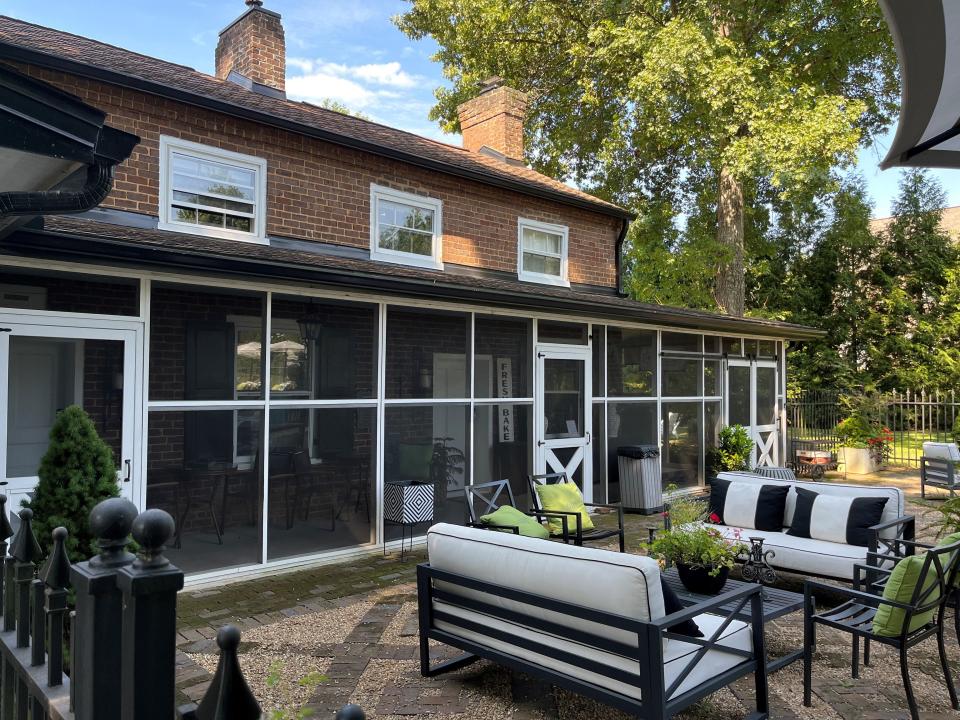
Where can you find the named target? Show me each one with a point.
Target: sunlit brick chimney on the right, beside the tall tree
(494, 119)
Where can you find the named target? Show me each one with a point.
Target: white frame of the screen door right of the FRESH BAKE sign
(583, 455)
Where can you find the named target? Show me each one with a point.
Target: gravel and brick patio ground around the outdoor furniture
(356, 623)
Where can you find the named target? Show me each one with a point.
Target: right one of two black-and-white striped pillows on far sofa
(835, 518)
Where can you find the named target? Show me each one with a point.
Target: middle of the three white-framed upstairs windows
(405, 228)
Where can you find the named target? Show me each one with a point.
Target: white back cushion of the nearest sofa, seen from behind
(619, 583)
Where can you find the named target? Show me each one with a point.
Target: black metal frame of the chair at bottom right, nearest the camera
(855, 616)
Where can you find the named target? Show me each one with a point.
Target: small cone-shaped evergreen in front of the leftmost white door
(76, 473)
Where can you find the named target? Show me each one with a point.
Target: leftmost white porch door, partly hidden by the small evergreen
(45, 368)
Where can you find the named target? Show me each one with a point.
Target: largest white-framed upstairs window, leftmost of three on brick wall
(208, 191)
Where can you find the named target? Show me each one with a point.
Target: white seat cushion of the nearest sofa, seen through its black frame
(677, 653)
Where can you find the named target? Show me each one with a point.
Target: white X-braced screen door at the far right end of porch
(752, 402)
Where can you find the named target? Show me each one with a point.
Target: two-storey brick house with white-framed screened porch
(280, 309)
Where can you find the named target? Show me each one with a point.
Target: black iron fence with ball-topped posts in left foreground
(121, 635)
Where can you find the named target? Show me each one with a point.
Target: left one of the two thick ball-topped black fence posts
(96, 631)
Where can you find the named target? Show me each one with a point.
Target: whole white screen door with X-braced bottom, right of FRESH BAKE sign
(563, 417)
